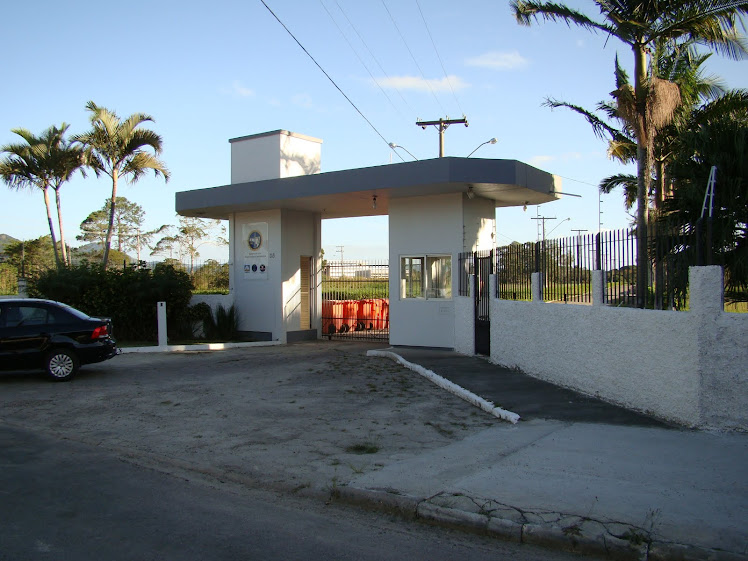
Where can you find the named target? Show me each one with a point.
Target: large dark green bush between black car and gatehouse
(128, 296)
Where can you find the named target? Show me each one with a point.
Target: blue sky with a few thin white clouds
(207, 73)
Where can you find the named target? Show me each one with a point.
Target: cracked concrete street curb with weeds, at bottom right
(546, 535)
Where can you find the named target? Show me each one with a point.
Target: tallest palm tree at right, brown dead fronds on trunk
(650, 104)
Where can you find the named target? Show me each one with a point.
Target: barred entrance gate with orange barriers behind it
(355, 300)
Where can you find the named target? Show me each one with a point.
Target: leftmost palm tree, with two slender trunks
(45, 161)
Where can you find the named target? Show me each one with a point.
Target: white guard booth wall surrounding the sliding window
(419, 226)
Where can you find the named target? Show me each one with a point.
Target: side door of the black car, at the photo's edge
(24, 335)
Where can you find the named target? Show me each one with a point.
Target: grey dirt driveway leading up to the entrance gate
(305, 416)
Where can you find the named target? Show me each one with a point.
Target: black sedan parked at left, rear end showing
(42, 334)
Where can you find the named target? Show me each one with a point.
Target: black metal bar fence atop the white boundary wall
(567, 263)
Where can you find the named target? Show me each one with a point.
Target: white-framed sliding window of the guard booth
(426, 276)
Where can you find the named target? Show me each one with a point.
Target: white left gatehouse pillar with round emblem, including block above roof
(269, 303)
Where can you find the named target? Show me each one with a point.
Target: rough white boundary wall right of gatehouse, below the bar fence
(687, 367)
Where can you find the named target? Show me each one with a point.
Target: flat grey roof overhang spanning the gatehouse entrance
(348, 193)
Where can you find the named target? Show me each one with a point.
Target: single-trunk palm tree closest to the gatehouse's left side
(120, 149)
